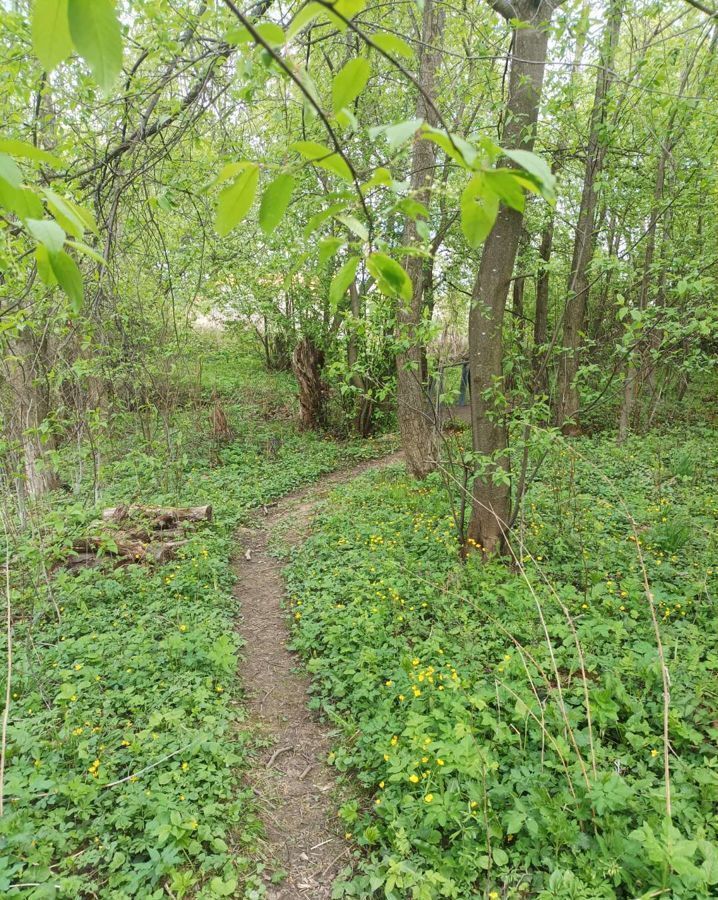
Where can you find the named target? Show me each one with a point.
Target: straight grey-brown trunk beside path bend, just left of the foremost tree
(416, 422)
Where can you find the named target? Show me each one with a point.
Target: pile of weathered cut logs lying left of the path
(143, 534)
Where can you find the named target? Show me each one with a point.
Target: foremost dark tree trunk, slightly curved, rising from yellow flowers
(491, 502)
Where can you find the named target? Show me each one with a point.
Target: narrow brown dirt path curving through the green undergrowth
(291, 780)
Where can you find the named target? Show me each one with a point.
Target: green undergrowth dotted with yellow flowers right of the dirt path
(460, 691)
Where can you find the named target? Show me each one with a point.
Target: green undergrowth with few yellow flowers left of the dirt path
(126, 741)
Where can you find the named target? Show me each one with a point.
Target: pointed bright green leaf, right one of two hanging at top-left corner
(95, 31)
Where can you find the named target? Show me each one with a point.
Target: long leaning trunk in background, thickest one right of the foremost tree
(567, 398)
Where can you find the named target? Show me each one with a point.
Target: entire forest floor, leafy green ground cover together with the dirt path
(163, 735)
